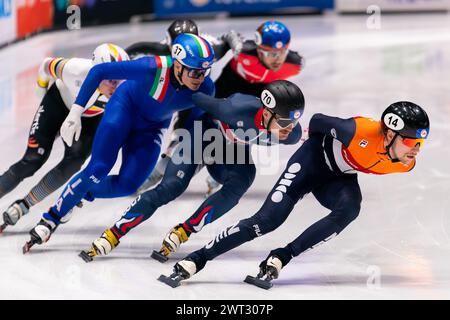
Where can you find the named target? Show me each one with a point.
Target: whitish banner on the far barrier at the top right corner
(392, 5)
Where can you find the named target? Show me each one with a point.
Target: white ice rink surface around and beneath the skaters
(399, 247)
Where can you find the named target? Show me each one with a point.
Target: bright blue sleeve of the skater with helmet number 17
(127, 70)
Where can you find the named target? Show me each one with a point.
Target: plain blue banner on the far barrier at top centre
(166, 8)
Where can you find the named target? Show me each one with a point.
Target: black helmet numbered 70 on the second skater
(285, 100)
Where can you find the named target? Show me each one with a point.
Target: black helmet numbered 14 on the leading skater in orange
(406, 119)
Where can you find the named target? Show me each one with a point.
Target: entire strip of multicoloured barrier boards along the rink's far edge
(21, 18)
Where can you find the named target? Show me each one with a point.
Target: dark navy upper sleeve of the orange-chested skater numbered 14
(338, 128)
